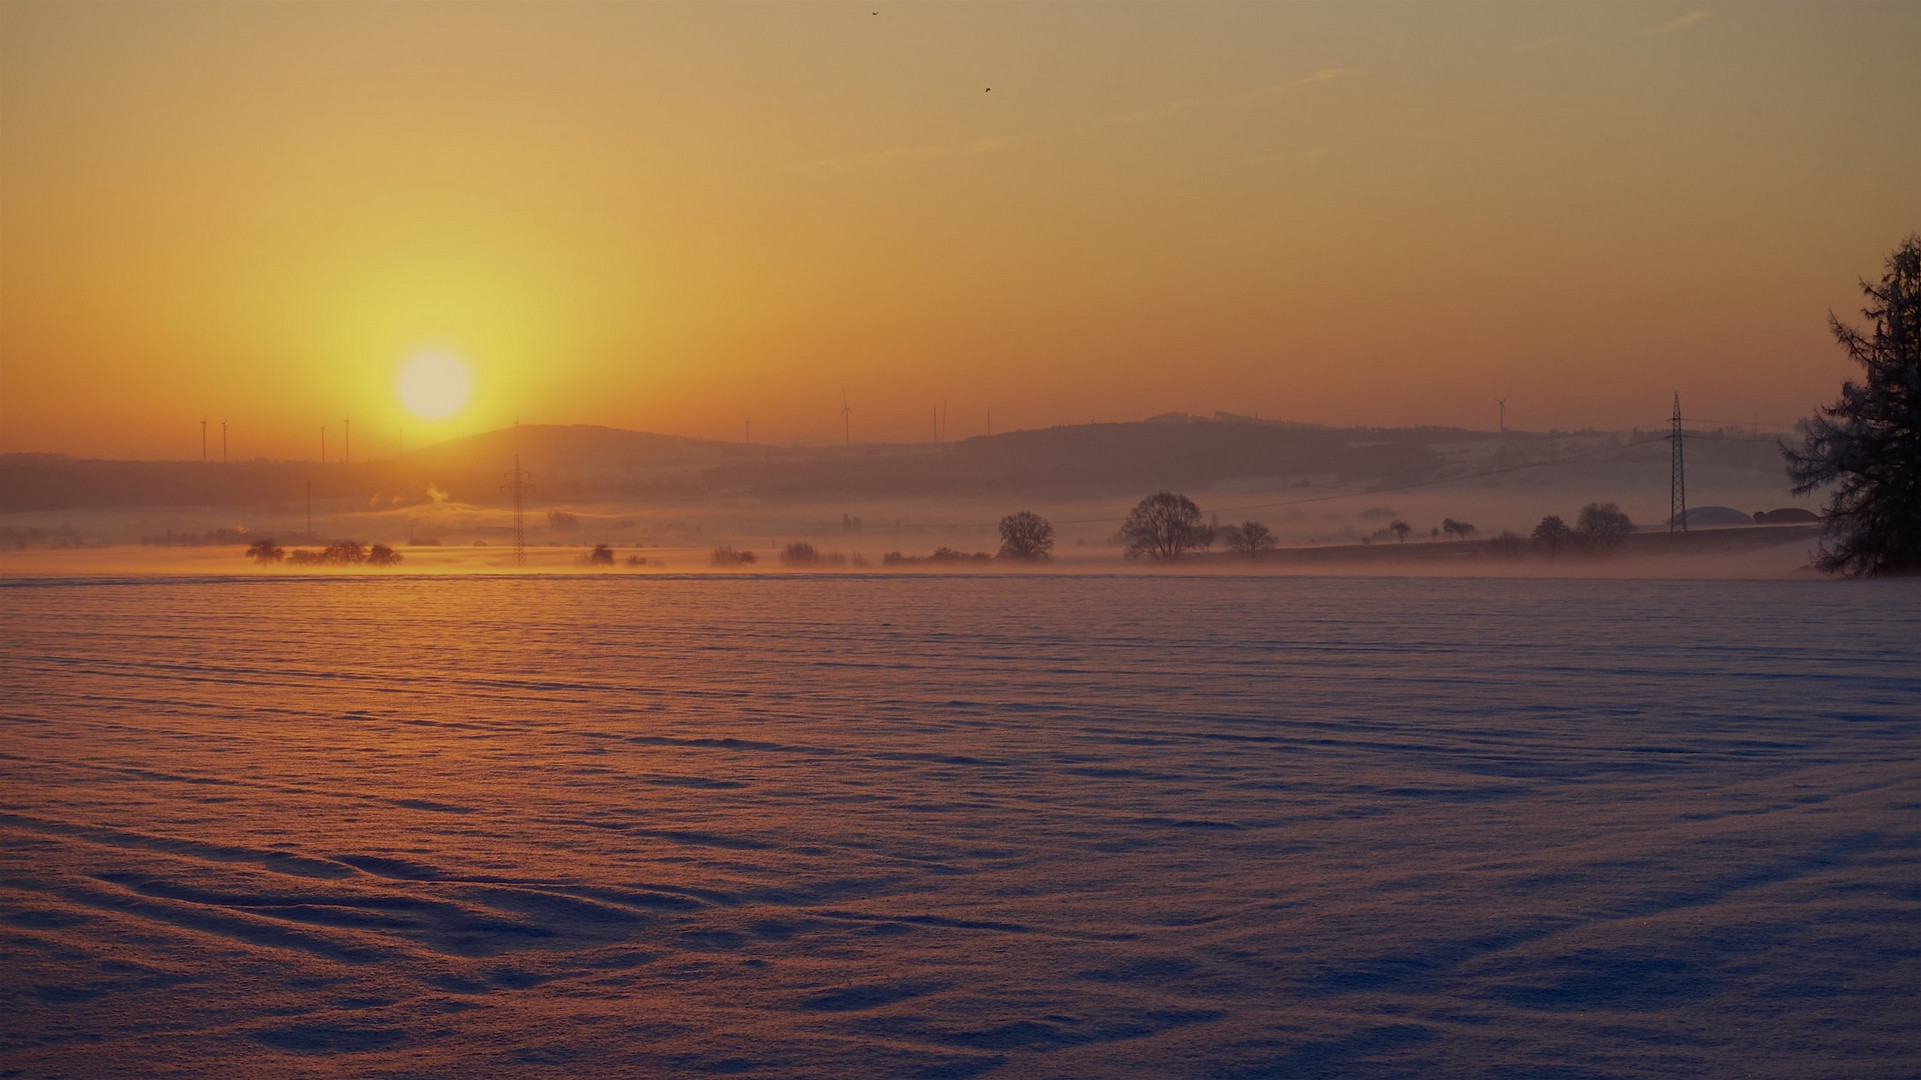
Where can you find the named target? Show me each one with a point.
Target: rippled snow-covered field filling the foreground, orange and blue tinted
(954, 827)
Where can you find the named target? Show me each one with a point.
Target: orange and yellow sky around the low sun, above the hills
(689, 218)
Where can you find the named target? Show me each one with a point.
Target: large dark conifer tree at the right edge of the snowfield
(1868, 443)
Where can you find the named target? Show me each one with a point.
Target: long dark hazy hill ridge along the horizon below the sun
(585, 462)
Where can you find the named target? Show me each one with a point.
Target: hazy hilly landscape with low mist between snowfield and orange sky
(669, 503)
